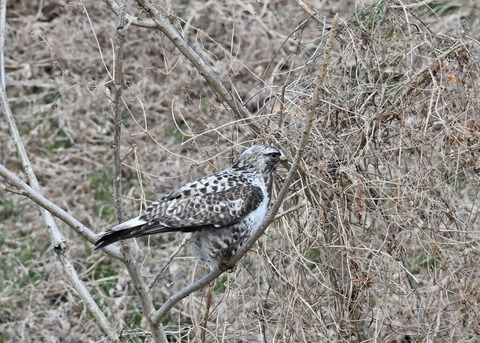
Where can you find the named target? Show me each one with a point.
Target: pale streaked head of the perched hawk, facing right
(261, 158)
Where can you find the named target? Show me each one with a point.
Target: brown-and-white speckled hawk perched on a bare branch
(222, 210)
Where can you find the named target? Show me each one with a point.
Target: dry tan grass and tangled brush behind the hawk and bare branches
(382, 239)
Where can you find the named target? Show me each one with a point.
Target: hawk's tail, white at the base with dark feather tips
(132, 228)
